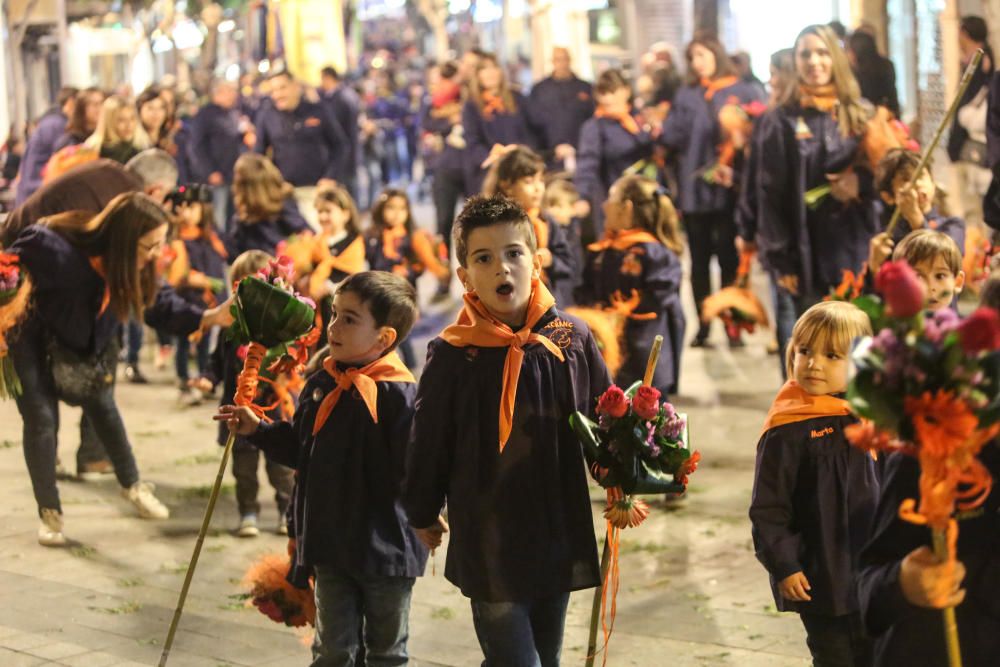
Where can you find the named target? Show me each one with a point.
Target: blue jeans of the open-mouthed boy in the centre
(521, 634)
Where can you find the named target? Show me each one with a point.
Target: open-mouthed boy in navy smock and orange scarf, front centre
(491, 436)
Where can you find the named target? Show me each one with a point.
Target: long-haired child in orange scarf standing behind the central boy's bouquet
(637, 269)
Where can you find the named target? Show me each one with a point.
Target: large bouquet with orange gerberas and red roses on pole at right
(928, 384)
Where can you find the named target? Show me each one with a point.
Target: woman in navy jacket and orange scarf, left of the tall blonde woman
(706, 182)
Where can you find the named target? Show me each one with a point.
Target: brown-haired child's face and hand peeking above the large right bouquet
(934, 256)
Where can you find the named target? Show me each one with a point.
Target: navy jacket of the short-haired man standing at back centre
(561, 106)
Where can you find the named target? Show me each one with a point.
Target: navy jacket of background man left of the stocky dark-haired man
(216, 143)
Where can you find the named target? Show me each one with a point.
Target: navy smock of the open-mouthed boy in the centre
(521, 524)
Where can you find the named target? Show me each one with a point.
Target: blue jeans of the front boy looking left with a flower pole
(349, 608)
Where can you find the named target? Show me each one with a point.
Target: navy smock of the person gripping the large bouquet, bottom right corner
(908, 635)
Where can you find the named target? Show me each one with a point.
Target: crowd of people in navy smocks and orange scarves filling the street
(578, 203)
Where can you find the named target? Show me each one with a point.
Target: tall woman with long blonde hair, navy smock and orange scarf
(816, 207)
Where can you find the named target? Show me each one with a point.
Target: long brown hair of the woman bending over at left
(113, 235)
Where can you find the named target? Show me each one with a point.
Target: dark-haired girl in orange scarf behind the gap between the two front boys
(396, 245)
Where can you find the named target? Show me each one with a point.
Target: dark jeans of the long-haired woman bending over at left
(39, 408)
